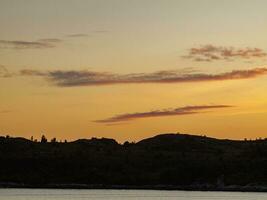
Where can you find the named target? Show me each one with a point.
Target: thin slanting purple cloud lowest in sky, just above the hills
(187, 110)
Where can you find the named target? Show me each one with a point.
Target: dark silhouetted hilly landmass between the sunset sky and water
(168, 161)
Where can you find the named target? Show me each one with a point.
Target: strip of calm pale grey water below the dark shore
(41, 194)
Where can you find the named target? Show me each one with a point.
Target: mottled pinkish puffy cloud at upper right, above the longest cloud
(210, 53)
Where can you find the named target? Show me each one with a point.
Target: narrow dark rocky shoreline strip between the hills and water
(204, 188)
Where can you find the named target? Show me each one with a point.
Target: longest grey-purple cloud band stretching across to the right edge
(91, 78)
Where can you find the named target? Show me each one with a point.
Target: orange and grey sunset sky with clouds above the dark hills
(131, 69)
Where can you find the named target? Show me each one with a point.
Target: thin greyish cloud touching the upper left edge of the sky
(38, 44)
